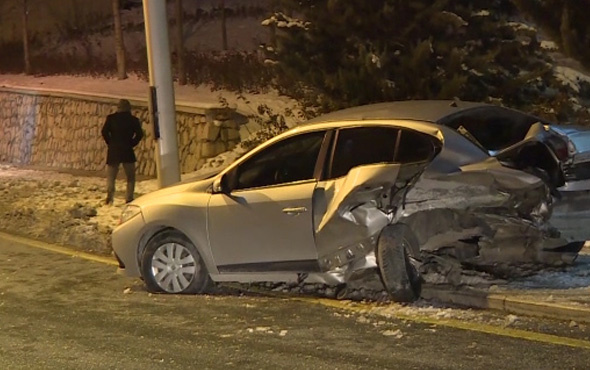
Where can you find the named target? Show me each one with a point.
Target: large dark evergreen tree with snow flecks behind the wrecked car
(351, 52)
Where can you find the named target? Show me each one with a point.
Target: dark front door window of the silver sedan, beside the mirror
(292, 159)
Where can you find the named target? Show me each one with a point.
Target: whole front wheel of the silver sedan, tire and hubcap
(172, 264)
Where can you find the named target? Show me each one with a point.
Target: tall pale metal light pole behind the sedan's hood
(162, 106)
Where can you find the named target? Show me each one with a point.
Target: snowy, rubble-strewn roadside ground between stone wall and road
(66, 208)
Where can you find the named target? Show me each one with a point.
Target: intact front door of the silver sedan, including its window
(265, 223)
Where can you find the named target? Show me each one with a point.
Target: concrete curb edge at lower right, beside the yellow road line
(506, 303)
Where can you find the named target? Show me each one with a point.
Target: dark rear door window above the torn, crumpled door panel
(362, 145)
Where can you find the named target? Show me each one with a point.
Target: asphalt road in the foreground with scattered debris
(63, 312)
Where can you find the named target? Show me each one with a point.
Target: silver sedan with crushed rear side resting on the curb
(361, 189)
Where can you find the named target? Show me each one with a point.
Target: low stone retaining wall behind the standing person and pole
(62, 131)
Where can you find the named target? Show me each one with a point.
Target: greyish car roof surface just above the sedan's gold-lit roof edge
(418, 110)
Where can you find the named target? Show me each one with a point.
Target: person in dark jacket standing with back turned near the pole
(121, 132)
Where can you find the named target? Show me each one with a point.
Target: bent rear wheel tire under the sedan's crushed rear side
(399, 276)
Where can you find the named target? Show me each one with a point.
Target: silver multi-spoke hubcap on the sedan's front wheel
(173, 267)
